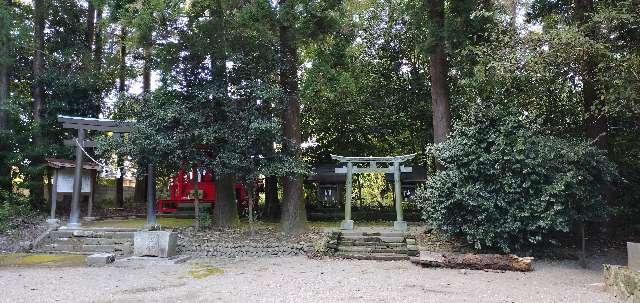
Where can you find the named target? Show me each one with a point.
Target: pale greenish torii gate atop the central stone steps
(390, 165)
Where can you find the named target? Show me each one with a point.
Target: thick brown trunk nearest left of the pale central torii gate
(294, 214)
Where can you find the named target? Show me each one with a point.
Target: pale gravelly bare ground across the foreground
(298, 279)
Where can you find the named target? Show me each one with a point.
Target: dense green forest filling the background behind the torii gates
(266, 88)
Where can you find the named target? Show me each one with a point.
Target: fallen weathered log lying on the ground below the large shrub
(474, 261)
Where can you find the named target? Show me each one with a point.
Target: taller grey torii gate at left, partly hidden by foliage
(118, 128)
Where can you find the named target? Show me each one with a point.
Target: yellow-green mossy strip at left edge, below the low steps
(26, 260)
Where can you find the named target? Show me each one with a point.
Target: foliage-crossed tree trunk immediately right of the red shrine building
(225, 210)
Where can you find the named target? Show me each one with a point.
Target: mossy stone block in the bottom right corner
(622, 282)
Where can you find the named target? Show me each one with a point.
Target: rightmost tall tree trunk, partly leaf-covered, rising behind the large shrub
(595, 123)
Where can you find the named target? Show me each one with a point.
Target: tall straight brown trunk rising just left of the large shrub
(438, 69)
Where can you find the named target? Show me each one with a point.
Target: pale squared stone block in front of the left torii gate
(154, 243)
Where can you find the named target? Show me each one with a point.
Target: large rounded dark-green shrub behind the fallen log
(506, 184)
